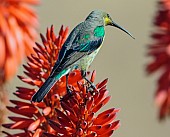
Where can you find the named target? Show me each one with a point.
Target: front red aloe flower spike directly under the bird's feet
(77, 117)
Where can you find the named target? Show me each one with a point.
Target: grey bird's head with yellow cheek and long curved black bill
(105, 19)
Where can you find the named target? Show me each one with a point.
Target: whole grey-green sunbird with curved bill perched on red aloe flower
(79, 50)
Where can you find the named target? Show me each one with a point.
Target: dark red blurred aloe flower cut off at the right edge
(160, 52)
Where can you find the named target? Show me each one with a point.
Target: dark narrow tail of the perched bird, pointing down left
(45, 88)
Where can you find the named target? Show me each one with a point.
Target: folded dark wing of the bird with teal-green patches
(79, 47)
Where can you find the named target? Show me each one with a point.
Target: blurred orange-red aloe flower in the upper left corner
(18, 23)
